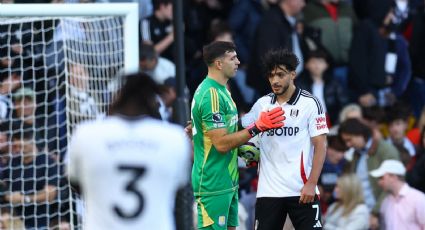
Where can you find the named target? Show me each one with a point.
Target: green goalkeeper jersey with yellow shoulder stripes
(213, 172)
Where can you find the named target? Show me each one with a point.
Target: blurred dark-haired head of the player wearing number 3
(138, 96)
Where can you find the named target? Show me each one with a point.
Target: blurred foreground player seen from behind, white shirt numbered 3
(131, 164)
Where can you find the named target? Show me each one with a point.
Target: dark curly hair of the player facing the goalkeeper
(275, 58)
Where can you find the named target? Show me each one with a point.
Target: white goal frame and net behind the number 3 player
(59, 66)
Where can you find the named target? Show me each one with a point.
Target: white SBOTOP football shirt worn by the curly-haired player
(287, 153)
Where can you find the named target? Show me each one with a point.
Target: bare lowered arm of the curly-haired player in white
(308, 192)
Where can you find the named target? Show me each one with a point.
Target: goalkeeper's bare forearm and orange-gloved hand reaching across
(225, 142)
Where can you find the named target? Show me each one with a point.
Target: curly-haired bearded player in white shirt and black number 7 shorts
(292, 156)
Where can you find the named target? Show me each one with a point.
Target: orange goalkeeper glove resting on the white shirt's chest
(268, 120)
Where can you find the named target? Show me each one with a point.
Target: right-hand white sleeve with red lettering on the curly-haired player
(317, 119)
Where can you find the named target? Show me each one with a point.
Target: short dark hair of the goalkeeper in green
(215, 50)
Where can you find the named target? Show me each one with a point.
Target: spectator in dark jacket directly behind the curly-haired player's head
(277, 29)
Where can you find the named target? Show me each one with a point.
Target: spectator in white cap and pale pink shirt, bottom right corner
(404, 206)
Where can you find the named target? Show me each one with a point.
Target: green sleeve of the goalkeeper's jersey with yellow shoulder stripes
(212, 110)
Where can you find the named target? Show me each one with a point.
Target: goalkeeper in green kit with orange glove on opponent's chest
(214, 116)
